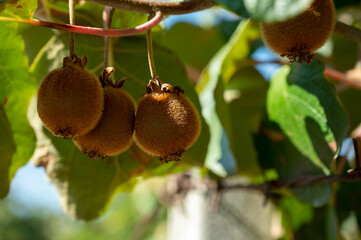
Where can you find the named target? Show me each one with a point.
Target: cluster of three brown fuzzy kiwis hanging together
(102, 120)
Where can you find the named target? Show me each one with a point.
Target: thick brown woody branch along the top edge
(167, 8)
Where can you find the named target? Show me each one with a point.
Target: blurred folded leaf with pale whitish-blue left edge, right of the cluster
(227, 78)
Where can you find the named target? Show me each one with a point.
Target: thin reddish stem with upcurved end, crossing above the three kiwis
(91, 30)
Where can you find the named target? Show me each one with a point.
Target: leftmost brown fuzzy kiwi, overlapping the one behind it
(70, 99)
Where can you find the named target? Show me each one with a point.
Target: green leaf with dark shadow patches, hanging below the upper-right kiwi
(305, 106)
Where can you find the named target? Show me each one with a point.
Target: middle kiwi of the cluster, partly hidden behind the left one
(114, 132)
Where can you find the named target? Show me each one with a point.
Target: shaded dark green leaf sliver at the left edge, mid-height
(7, 149)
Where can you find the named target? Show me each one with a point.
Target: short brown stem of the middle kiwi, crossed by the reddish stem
(108, 44)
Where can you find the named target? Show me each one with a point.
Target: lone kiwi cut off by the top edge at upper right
(299, 37)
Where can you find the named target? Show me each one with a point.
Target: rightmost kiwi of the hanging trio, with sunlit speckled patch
(166, 123)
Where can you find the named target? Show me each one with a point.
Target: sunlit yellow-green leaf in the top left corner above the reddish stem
(18, 8)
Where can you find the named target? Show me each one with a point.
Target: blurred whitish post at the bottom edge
(241, 215)
